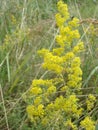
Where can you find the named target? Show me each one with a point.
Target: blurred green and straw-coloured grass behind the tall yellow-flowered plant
(25, 27)
